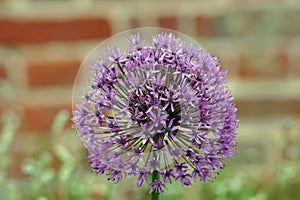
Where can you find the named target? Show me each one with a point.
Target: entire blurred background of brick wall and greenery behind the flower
(43, 42)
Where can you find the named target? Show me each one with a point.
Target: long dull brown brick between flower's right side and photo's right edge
(268, 107)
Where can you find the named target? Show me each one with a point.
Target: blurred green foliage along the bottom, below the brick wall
(62, 172)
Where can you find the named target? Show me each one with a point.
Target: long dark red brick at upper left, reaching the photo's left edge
(37, 31)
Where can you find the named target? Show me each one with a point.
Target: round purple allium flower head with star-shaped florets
(161, 106)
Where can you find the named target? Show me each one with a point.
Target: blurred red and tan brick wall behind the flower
(43, 42)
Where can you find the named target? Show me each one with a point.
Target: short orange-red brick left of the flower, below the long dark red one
(52, 73)
